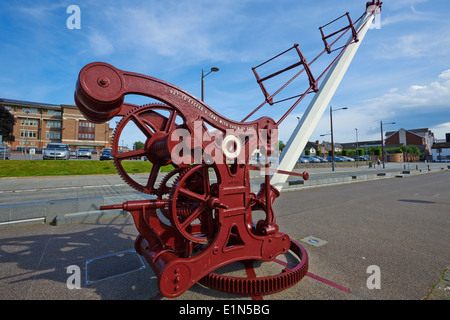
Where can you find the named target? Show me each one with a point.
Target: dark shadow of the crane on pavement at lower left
(35, 261)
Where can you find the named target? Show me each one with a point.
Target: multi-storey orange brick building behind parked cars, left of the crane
(38, 124)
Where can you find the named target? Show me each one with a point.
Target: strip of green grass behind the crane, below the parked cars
(36, 168)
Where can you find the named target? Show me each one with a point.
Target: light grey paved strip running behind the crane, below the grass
(67, 199)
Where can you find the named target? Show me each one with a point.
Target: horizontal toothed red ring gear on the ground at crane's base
(259, 286)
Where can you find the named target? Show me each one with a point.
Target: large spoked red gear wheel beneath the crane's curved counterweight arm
(150, 119)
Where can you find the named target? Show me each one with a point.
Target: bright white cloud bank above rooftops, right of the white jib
(418, 106)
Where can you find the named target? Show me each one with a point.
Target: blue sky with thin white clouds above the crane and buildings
(401, 72)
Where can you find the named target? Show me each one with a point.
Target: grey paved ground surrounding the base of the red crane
(359, 223)
